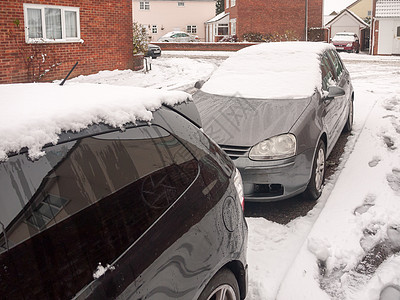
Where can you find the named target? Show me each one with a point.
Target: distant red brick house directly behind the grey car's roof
(274, 17)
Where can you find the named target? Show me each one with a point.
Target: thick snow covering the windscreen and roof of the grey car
(270, 71)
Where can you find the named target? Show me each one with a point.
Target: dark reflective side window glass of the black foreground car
(83, 203)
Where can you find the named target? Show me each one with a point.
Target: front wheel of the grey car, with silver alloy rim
(314, 187)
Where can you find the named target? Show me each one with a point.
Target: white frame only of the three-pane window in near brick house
(44, 39)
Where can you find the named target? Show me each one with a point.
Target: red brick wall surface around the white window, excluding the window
(106, 29)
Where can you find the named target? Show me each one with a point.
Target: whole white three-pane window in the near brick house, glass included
(47, 23)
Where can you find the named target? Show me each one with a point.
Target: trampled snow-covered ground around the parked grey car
(348, 246)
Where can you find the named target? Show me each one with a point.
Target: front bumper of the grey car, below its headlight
(265, 181)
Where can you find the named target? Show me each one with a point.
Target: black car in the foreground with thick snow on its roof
(114, 192)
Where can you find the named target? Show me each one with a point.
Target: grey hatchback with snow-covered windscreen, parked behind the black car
(277, 109)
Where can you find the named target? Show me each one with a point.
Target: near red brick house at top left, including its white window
(40, 35)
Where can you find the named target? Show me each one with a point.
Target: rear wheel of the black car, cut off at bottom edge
(223, 286)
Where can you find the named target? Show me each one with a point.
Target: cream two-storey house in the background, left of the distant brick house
(159, 17)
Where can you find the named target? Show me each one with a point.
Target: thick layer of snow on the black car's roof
(33, 115)
